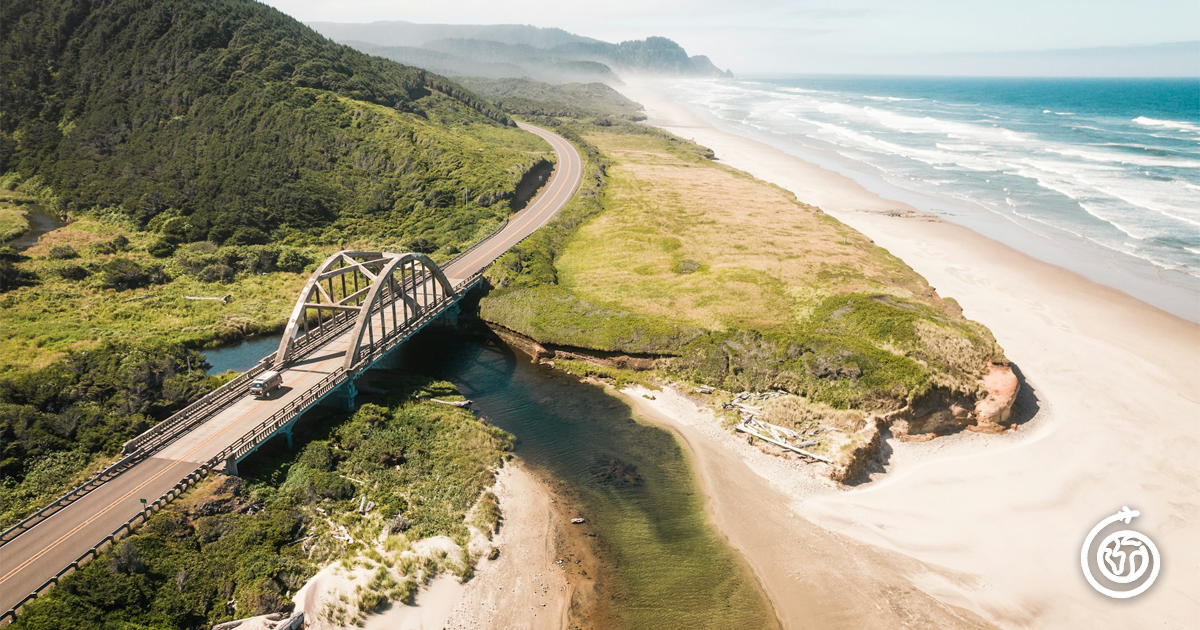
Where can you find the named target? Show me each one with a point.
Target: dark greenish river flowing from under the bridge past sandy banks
(662, 562)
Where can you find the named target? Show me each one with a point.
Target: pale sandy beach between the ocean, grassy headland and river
(975, 530)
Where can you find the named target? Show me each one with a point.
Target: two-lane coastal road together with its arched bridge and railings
(385, 301)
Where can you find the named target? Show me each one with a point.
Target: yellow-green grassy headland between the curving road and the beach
(742, 286)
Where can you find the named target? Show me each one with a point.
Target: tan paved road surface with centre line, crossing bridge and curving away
(43, 551)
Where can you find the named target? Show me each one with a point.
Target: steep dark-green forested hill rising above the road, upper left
(237, 118)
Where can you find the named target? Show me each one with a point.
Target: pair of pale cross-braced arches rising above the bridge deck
(371, 295)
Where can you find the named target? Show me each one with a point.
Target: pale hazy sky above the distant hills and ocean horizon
(765, 37)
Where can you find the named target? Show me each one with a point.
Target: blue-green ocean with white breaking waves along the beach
(1099, 176)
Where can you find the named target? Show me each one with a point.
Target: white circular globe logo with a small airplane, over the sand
(1123, 557)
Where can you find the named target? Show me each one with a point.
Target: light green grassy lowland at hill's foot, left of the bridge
(71, 308)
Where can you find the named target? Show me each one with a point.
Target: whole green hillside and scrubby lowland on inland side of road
(201, 148)
